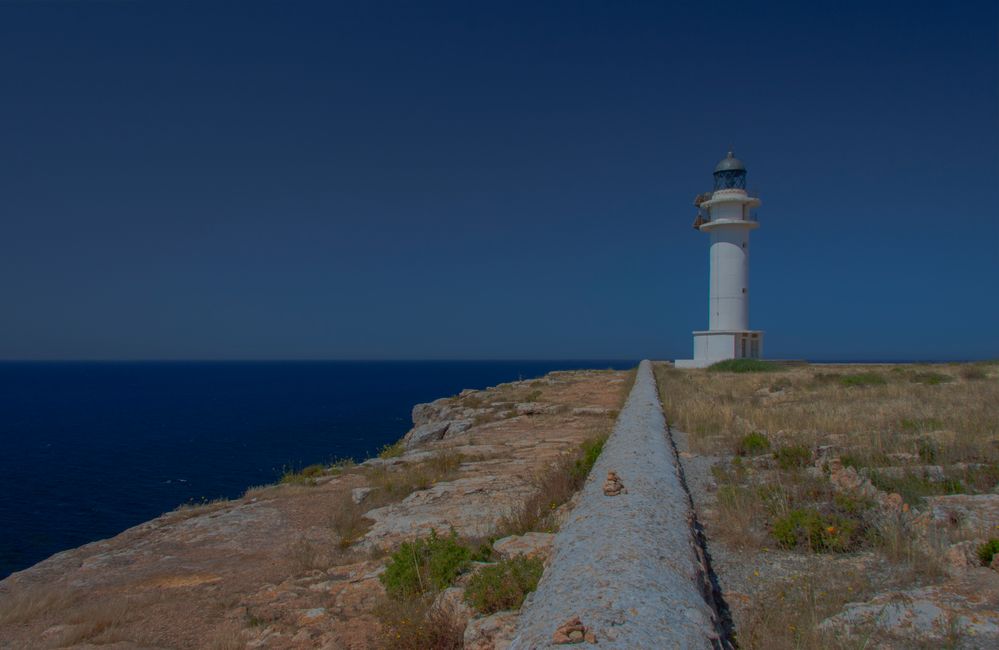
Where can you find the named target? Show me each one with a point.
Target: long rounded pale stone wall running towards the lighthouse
(628, 563)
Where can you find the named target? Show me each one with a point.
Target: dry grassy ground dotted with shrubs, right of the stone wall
(824, 471)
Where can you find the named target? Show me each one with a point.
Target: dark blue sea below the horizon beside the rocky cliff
(89, 449)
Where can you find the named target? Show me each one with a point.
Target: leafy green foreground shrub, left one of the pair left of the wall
(425, 565)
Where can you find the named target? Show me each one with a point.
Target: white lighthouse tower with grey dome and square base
(725, 214)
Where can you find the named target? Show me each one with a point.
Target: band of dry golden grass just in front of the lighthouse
(814, 406)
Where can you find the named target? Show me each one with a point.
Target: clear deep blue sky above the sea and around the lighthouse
(298, 180)
